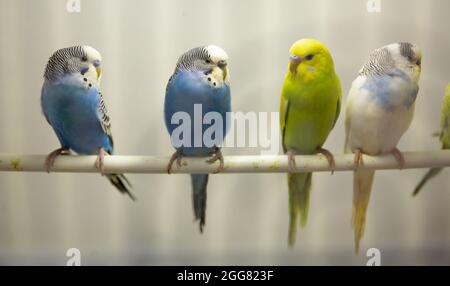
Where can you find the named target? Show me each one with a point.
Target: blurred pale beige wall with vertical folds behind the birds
(42, 215)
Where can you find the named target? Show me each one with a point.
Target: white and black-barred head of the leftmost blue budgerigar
(83, 60)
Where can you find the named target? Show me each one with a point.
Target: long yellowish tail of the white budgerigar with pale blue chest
(362, 186)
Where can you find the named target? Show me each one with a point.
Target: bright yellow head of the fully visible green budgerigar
(309, 60)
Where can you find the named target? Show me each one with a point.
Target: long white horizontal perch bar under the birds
(233, 164)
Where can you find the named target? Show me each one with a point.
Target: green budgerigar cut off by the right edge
(444, 137)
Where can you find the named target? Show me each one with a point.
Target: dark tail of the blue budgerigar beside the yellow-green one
(199, 183)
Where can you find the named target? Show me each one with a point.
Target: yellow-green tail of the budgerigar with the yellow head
(299, 189)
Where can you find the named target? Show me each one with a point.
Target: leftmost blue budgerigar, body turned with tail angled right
(73, 105)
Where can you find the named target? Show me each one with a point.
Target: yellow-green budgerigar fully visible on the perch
(309, 108)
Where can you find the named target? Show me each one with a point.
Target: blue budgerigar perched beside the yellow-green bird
(201, 79)
